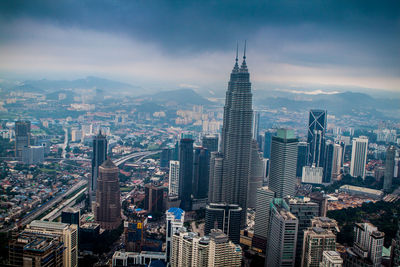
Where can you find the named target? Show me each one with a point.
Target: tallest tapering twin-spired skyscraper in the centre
(236, 137)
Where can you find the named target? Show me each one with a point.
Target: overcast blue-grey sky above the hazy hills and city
(318, 45)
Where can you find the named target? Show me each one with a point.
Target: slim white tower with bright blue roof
(175, 218)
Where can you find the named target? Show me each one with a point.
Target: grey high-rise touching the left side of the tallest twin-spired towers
(215, 178)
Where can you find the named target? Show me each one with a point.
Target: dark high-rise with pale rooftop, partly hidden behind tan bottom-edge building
(304, 210)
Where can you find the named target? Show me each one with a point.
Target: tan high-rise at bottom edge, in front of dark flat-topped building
(316, 241)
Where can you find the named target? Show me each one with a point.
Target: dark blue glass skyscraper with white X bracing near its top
(316, 137)
